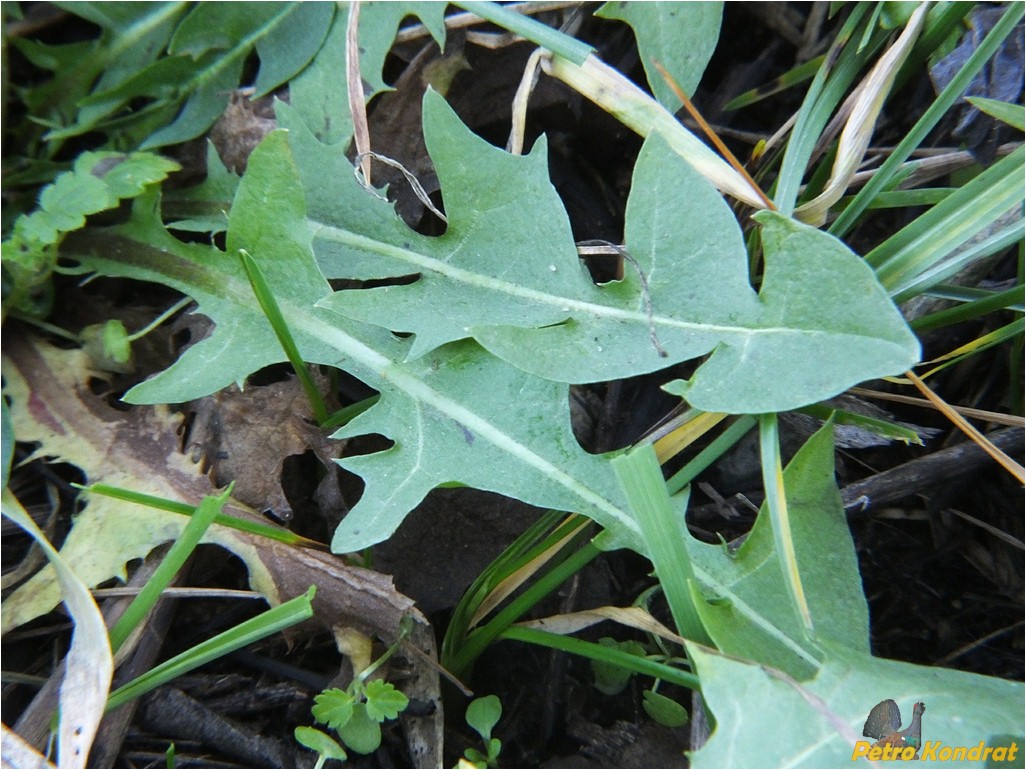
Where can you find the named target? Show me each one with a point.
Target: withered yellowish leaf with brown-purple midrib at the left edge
(52, 404)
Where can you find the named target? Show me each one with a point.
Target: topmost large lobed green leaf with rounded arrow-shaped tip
(506, 274)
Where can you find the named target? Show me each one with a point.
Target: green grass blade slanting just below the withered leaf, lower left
(288, 614)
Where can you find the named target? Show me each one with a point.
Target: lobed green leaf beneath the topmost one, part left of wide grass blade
(456, 415)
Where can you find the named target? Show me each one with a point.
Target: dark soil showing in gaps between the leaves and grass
(942, 564)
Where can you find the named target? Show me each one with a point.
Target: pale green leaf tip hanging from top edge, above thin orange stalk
(681, 36)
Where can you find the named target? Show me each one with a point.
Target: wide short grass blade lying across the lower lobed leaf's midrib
(663, 532)
